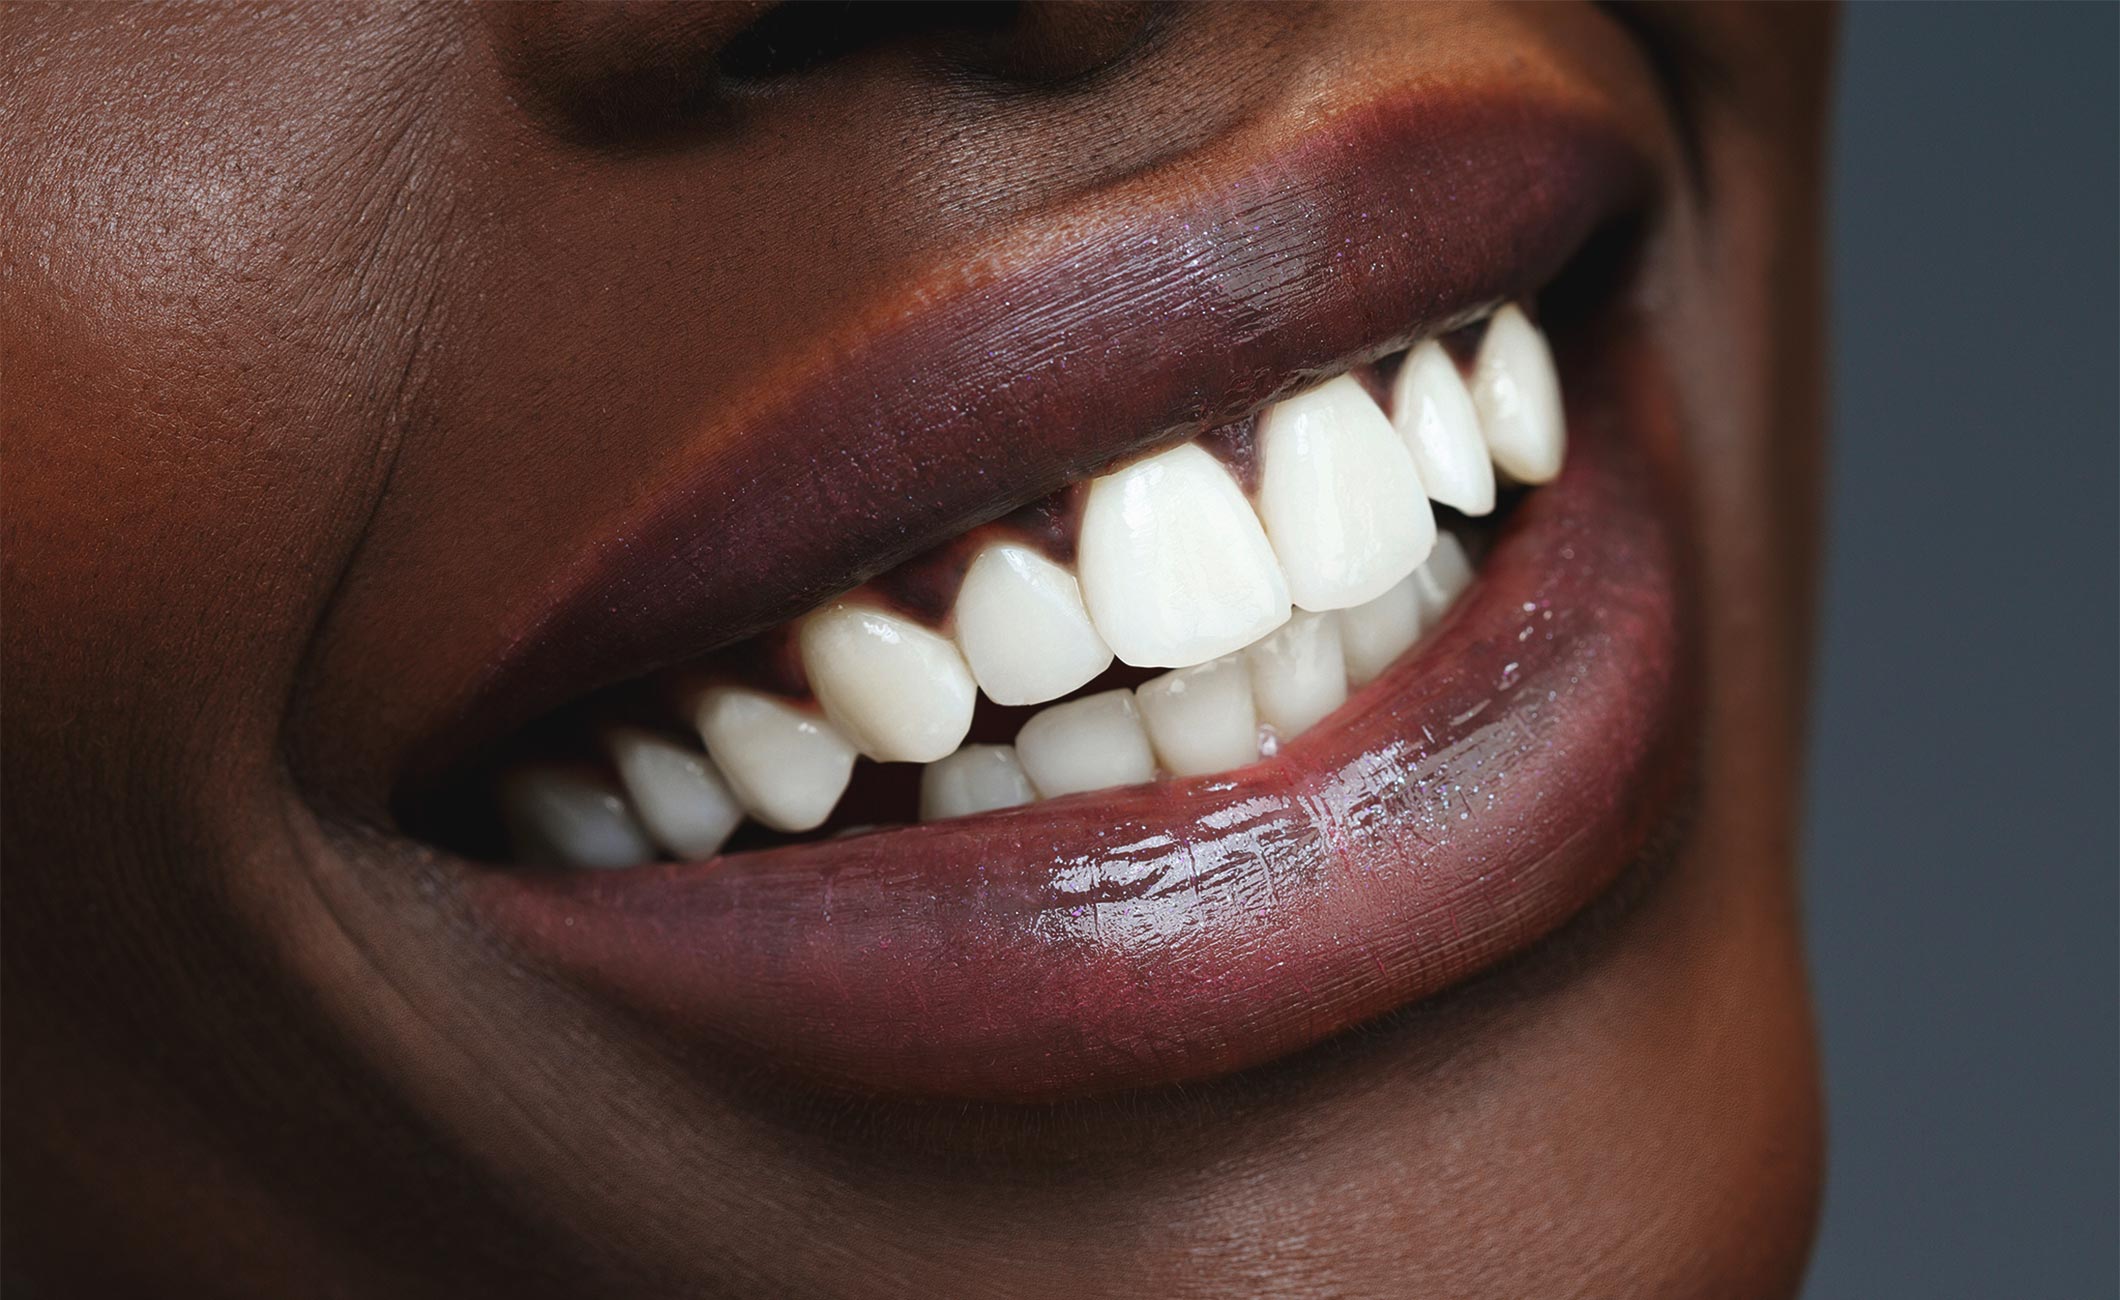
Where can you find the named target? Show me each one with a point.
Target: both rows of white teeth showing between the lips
(1265, 610)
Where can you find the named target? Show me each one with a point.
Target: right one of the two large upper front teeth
(1341, 497)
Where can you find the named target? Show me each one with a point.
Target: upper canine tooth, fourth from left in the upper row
(900, 692)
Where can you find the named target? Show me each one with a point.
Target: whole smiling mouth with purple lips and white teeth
(1150, 658)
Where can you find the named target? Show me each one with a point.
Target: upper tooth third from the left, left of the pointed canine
(788, 767)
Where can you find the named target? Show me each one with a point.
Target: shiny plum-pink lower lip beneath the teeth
(1457, 811)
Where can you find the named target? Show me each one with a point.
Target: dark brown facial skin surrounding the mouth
(325, 334)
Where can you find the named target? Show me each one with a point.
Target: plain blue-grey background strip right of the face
(1962, 824)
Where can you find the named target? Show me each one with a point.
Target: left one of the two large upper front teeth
(1176, 565)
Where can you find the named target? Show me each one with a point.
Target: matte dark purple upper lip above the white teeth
(1118, 334)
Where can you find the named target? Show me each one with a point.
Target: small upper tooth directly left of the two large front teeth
(1023, 627)
